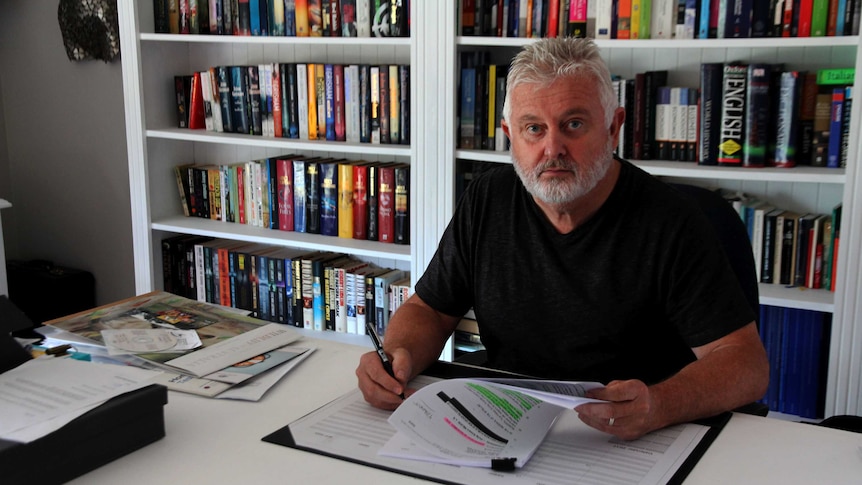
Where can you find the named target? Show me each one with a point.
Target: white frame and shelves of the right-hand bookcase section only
(805, 189)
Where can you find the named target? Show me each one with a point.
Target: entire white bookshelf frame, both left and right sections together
(154, 146)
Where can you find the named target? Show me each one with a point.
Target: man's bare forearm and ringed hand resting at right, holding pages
(729, 372)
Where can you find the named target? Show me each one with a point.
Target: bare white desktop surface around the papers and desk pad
(216, 441)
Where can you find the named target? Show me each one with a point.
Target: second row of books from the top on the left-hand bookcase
(333, 102)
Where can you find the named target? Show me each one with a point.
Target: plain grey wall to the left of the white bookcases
(63, 162)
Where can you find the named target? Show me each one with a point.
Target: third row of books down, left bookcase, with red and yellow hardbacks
(347, 199)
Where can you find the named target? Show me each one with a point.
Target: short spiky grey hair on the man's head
(544, 61)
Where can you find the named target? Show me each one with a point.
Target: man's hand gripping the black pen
(379, 388)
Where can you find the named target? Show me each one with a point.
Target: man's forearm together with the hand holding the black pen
(414, 339)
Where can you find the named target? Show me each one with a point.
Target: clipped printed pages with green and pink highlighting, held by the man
(492, 423)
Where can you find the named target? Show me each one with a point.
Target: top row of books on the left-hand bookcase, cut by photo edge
(293, 18)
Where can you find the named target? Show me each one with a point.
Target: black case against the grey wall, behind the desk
(45, 291)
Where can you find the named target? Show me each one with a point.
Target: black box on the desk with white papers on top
(114, 429)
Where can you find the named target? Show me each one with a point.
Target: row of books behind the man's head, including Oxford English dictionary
(751, 115)
